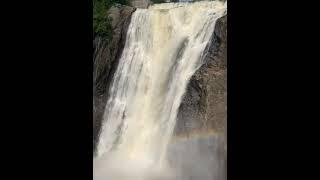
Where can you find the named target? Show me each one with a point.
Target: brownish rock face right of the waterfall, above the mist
(204, 106)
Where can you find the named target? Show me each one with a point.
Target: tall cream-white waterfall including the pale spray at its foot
(165, 45)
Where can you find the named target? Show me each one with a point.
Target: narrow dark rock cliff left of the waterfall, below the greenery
(105, 60)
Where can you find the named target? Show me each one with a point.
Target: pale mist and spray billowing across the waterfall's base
(196, 158)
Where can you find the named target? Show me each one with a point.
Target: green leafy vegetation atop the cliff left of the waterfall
(101, 21)
